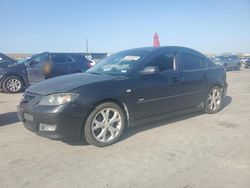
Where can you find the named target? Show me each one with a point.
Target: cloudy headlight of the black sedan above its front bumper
(58, 99)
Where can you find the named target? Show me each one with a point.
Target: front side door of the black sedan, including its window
(158, 93)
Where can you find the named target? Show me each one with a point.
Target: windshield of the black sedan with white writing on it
(119, 63)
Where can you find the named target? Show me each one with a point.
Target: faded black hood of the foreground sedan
(67, 83)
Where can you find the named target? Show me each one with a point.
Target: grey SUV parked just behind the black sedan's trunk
(231, 62)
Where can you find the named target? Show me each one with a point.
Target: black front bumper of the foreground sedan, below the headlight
(67, 119)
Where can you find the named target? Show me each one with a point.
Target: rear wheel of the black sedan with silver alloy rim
(213, 101)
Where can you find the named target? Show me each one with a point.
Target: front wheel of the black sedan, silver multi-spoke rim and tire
(98, 130)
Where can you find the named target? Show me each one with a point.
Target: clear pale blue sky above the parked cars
(112, 25)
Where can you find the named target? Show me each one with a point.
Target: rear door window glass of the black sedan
(191, 62)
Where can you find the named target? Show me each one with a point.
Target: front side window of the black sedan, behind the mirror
(164, 62)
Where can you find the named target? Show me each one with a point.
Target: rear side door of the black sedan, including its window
(195, 79)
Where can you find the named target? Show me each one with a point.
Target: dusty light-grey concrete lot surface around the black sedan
(194, 150)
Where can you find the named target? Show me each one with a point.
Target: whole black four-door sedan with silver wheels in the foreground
(126, 89)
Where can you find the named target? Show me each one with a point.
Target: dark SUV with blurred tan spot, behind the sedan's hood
(16, 76)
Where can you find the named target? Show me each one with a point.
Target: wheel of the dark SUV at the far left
(13, 84)
